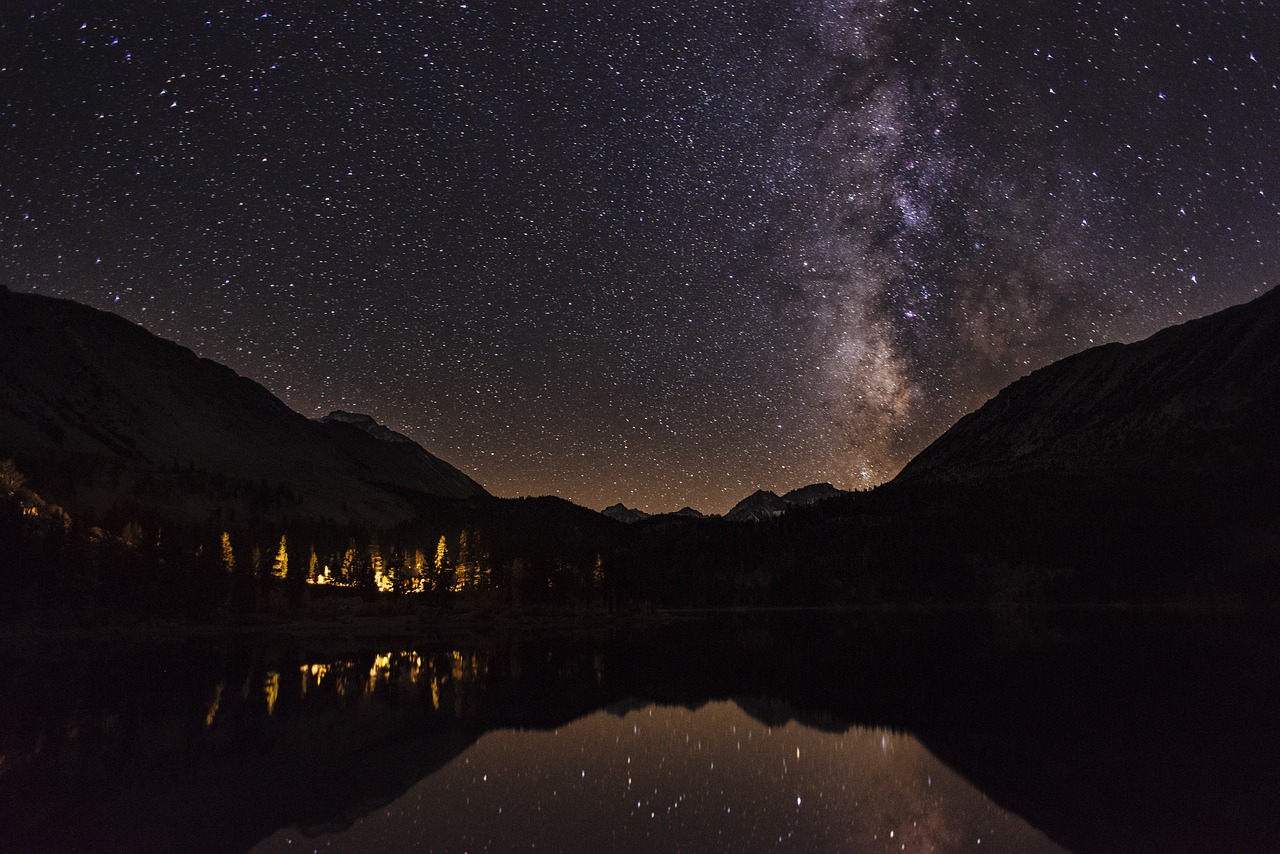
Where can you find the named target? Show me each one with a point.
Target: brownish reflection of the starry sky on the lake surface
(671, 778)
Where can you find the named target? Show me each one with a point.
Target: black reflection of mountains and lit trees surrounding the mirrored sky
(1104, 733)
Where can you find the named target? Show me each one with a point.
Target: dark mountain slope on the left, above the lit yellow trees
(95, 407)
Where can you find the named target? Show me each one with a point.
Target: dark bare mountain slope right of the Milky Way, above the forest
(1200, 399)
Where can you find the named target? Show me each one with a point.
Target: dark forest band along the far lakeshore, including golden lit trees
(1036, 540)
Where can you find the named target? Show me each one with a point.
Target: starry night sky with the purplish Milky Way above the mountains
(657, 253)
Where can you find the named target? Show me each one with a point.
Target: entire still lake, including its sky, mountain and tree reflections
(1020, 732)
